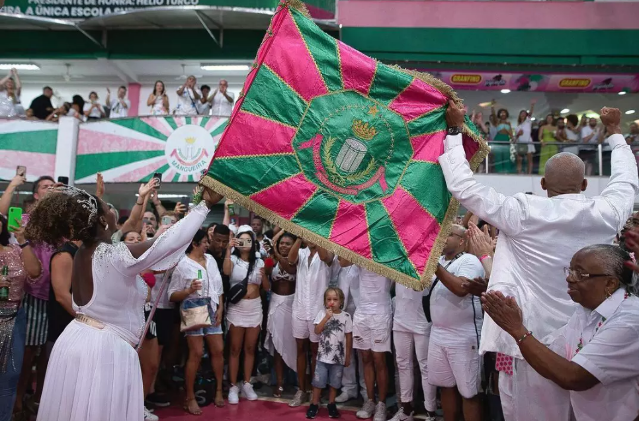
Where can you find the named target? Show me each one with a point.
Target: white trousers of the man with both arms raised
(527, 396)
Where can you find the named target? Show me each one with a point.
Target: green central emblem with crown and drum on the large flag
(358, 149)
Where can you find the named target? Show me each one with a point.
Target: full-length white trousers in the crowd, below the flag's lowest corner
(406, 346)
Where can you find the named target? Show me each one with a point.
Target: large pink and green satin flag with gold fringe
(342, 150)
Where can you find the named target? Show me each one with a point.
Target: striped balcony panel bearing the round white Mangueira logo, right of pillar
(133, 149)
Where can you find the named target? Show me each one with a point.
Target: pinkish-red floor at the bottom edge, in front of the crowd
(248, 411)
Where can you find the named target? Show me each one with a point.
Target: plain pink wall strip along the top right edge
(586, 15)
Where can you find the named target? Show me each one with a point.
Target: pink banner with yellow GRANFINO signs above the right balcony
(538, 82)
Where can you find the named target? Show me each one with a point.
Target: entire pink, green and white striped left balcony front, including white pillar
(128, 150)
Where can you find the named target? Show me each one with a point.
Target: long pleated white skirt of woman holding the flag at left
(93, 374)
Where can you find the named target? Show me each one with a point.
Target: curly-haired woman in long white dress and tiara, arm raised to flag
(94, 370)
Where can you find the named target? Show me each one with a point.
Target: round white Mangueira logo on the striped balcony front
(189, 149)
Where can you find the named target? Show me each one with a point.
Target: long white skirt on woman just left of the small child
(279, 329)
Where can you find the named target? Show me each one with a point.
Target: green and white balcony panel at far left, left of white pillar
(29, 143)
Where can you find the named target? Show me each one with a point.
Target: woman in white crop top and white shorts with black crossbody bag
(245, 317)
